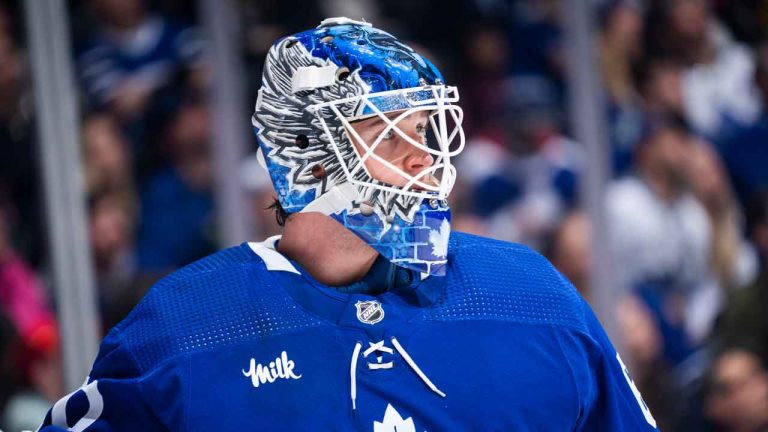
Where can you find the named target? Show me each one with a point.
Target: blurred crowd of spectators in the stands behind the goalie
(686, 102)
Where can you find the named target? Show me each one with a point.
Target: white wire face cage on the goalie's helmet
(446, 140)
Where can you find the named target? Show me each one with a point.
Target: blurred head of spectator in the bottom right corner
(736, 390)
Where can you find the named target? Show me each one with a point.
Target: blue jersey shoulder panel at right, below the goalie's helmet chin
(495, 280)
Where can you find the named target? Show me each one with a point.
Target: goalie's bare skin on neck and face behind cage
(332, 254)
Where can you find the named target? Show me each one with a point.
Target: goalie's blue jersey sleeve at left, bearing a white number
(117, 396)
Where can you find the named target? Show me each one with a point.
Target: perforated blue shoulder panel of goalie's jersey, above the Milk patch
(219, 300)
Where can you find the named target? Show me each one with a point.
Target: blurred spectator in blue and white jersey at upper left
(138, 65)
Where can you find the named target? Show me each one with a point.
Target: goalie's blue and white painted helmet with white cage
(315, 85)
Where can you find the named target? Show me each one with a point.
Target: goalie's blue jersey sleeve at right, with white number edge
(608, 398)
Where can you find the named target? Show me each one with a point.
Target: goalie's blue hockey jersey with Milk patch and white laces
(246, 340)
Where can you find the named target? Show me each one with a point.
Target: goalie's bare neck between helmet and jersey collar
(325, 249)
